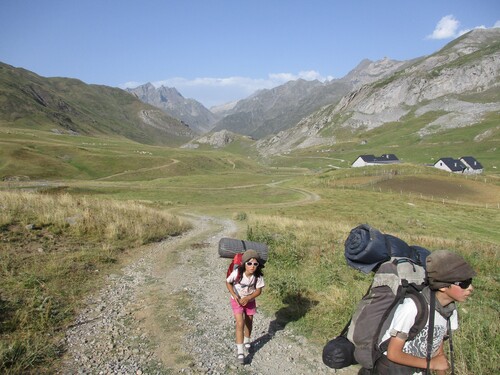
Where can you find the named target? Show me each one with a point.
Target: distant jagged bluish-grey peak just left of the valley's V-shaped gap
(191, 112)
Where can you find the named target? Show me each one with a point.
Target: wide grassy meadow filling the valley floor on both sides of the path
(75, 208)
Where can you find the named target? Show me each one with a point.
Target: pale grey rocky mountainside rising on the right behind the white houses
(462, 81)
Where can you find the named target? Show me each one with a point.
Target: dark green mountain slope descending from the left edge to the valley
(69, 105)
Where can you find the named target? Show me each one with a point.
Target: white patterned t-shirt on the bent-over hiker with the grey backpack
(403, 320)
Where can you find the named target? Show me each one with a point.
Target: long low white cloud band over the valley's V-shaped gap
(215, 91)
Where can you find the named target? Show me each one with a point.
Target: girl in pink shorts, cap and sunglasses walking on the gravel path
(245, 284)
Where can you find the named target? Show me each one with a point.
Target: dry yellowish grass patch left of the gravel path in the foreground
(54, 249)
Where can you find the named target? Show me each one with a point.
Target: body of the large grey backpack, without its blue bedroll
(394, 280)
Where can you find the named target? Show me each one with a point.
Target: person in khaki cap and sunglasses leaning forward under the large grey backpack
(449, 279)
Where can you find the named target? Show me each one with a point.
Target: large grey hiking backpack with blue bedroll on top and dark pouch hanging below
(399, 273)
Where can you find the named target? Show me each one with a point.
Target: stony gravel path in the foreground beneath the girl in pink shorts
(168, 312)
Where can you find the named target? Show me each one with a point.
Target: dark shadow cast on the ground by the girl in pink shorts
(297, 307)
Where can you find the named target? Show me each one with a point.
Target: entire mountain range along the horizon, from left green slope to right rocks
(455, 87)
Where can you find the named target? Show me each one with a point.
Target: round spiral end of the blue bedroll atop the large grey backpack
(366, 248)
